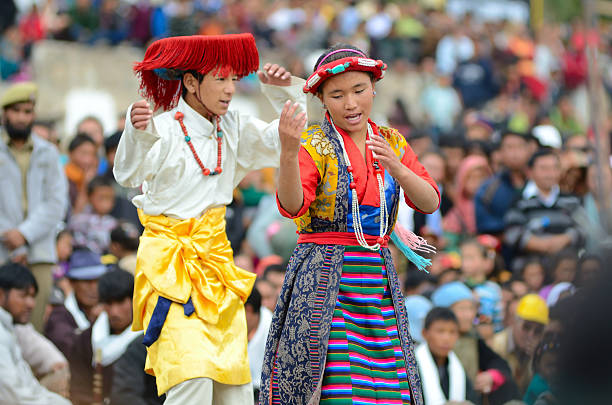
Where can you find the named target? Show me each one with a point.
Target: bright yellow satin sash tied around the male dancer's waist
(191, 258)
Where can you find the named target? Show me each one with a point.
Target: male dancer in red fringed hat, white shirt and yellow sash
(189, 295)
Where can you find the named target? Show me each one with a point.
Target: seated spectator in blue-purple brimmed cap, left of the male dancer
(80, 307)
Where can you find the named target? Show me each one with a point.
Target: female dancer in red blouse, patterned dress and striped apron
(340, 331)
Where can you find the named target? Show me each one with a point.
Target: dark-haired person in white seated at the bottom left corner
(18, 385)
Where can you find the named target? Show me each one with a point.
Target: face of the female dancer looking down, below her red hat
(348, 98)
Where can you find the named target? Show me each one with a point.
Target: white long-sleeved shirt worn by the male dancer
(159, 159)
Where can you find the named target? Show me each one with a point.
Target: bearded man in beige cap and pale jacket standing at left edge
(33, 198)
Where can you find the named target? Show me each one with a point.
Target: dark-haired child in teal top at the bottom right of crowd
(545, 364)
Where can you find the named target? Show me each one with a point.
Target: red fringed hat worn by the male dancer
(166, 60)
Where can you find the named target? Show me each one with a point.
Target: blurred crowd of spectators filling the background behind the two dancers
(497, 112)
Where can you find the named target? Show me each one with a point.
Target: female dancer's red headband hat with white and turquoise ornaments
(362, 64)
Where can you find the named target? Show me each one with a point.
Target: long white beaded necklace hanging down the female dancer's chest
(358, 228)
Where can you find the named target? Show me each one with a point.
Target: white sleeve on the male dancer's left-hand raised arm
(139, 154)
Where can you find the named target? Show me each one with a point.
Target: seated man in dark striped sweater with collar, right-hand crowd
(542, 221)
